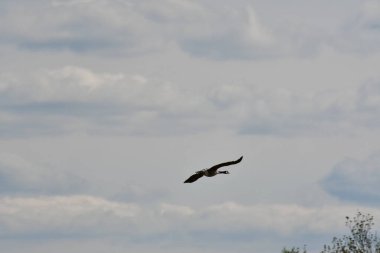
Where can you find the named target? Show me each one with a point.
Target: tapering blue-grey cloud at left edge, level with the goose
(25, 177)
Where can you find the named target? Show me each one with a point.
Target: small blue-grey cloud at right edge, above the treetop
(355, 180)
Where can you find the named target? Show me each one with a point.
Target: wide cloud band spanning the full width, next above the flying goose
(74, 99)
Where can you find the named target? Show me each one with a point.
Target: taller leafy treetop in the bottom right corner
(360, 240)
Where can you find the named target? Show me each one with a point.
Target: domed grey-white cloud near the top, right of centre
(229, 33)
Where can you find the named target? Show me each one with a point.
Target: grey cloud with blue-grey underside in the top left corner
(112, 27)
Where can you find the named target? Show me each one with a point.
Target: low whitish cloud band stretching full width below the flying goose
(85, 215)
